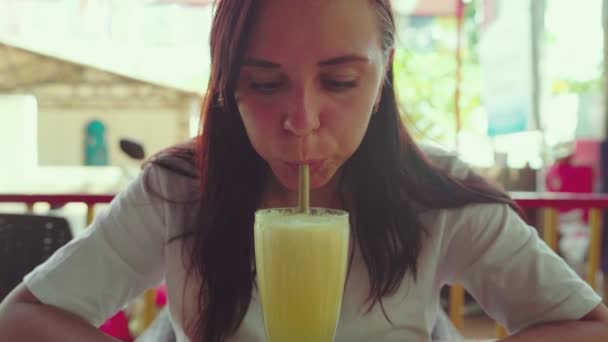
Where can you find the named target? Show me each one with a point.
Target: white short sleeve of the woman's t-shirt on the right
(512, 273)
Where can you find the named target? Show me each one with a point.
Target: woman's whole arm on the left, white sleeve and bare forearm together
(92, 277)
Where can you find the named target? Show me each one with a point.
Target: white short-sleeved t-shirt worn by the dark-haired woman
(500, 260)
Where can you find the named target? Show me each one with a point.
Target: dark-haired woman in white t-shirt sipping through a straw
(305, 82)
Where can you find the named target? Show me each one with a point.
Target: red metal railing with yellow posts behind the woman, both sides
(550, 203)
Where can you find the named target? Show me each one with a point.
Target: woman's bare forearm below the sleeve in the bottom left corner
(24, 318)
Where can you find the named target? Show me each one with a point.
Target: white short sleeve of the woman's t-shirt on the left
(120, 255)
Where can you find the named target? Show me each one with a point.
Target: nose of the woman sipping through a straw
(302, 117)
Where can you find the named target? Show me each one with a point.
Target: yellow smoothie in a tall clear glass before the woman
(301, 268)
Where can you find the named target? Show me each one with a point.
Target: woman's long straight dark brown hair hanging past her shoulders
(388, 177)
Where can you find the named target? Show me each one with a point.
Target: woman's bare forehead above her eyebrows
(288, 30)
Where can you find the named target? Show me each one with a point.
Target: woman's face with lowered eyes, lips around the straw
(312, 74)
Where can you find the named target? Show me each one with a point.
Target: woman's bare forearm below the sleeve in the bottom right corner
(593, 327)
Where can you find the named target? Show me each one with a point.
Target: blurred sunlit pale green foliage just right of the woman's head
(425, 81)
